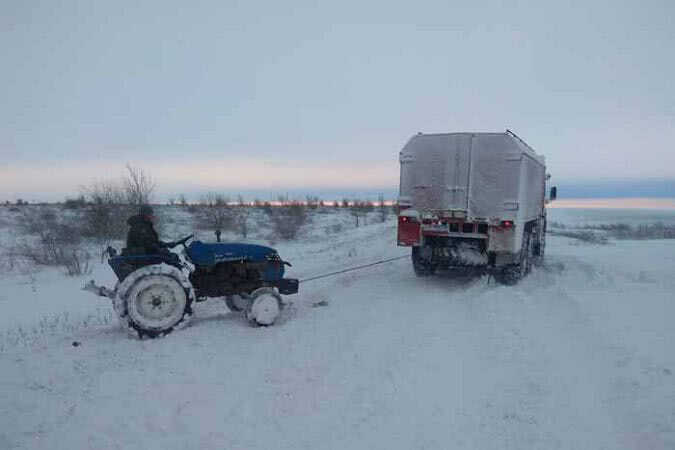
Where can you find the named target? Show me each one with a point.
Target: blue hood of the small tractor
(210, 254)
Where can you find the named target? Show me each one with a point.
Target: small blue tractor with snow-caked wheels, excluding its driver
(155, 293)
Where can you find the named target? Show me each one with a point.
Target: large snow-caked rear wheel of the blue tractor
(154, 300)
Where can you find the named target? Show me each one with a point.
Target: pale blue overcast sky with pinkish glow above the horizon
(247, 95)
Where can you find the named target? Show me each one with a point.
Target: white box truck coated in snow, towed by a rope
(473, 202)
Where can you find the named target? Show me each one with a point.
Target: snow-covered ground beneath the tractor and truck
(580, 355)
